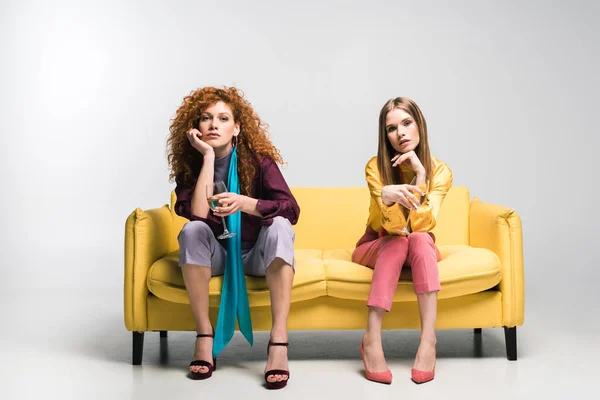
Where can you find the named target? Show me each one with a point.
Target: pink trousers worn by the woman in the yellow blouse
(387, 255)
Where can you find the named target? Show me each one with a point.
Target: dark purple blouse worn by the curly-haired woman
(269, 188)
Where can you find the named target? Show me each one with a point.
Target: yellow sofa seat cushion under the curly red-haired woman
(166, 281)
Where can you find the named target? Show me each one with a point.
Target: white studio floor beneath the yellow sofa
(73, 345)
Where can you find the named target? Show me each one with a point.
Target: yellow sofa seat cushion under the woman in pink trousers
(463, 270)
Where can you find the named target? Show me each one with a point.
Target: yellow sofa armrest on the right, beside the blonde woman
(499, 229)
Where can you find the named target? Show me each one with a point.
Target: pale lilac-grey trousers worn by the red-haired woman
(198, 246)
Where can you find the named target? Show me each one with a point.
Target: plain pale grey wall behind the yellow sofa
(87, 92)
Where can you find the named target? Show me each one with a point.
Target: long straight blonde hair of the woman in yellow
(385, 152)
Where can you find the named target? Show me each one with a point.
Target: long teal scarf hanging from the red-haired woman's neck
(234, 297)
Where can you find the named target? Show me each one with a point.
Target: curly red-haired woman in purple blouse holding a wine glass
(217, 136)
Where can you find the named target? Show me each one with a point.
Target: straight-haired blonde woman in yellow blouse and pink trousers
(407, 186)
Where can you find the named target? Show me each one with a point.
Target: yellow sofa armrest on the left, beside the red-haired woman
(148, 238)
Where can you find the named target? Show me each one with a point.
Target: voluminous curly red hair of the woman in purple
(253, 143)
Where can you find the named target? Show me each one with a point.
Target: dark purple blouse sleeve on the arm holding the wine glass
(277, 199)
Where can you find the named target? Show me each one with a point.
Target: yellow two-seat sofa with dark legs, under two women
(481, 270)
